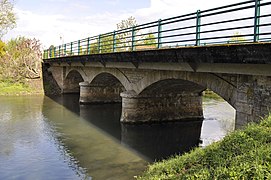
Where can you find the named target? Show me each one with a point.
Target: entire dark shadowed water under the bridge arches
(153, 141)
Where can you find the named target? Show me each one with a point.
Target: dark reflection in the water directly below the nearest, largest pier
(158, 141)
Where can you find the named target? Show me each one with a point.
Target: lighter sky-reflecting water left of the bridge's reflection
(28, 149)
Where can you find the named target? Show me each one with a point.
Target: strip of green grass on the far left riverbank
(7, 88)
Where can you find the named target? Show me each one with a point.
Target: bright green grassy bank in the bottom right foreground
(243, 154)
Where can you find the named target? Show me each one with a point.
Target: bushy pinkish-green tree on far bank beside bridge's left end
(22, 60)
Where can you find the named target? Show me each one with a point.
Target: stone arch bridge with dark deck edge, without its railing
(167, 84)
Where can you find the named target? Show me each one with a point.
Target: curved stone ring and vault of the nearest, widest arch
(196, 81)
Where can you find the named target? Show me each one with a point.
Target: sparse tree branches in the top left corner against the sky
(7, 17)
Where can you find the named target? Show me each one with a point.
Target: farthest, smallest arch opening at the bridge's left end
(71, 82)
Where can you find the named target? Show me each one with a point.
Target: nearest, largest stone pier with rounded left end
(160, 108)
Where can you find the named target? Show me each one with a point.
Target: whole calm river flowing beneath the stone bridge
(56, 138)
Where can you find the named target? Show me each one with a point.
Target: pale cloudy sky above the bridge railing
(55, 22)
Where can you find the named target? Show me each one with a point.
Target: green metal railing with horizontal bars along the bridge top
(244, 22)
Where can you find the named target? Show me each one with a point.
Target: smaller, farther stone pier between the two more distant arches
(99, 93)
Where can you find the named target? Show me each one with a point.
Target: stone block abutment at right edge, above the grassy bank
(253, 99)
